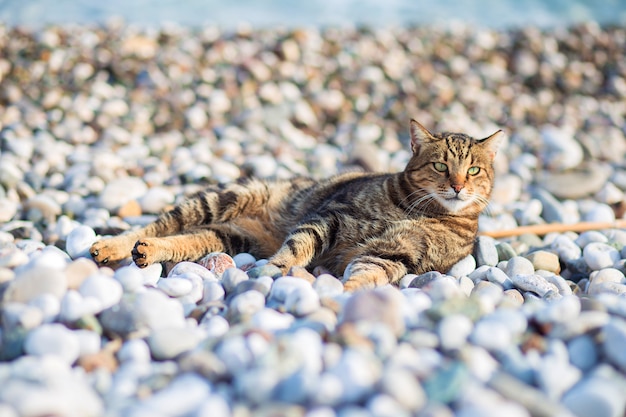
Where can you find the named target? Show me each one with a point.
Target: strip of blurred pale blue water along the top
(291, 13)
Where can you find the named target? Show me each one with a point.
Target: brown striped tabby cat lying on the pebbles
(370, 228)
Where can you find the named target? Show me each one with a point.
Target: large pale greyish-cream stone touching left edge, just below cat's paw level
(35, 281)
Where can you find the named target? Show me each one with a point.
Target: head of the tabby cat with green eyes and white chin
(454, 170)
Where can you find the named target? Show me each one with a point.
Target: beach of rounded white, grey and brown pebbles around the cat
(104, 127)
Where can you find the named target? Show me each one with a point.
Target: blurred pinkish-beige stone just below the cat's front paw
(375, 307)
